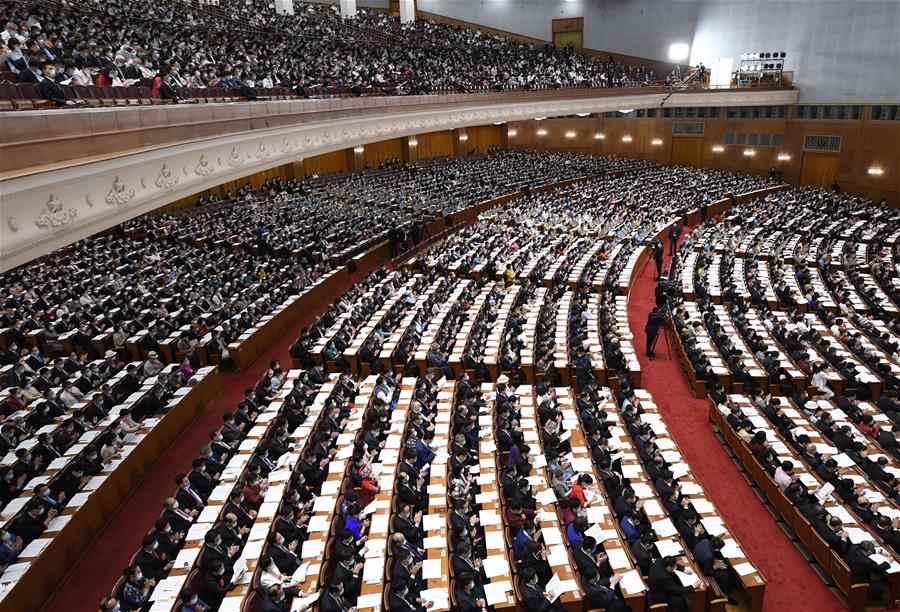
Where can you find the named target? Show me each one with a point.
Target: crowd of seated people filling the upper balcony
(242, 46)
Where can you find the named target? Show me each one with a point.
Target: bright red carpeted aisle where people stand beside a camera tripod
(792, 583)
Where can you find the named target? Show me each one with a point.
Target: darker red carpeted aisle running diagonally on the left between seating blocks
(94, 575)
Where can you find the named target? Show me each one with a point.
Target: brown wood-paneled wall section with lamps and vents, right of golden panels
(865, 143)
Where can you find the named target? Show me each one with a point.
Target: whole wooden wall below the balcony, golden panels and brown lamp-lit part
(865, 143)
